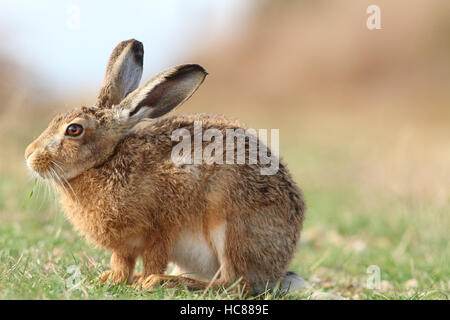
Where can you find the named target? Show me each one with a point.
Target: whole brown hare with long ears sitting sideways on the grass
(120, 188)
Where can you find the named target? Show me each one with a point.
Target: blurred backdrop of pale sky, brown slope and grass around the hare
(363, 116)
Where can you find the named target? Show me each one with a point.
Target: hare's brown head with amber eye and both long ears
(85, 137)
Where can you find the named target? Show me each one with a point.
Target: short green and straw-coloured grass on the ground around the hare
(357, 217)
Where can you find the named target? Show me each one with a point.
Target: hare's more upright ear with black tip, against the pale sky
(123, 73)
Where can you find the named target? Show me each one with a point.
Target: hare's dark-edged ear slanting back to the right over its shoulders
(163, 92)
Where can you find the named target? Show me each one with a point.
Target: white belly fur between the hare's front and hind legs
(194, 257)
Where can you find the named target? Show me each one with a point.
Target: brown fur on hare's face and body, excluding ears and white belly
(121, 190)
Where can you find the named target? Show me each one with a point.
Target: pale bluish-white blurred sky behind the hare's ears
(68, 42)
